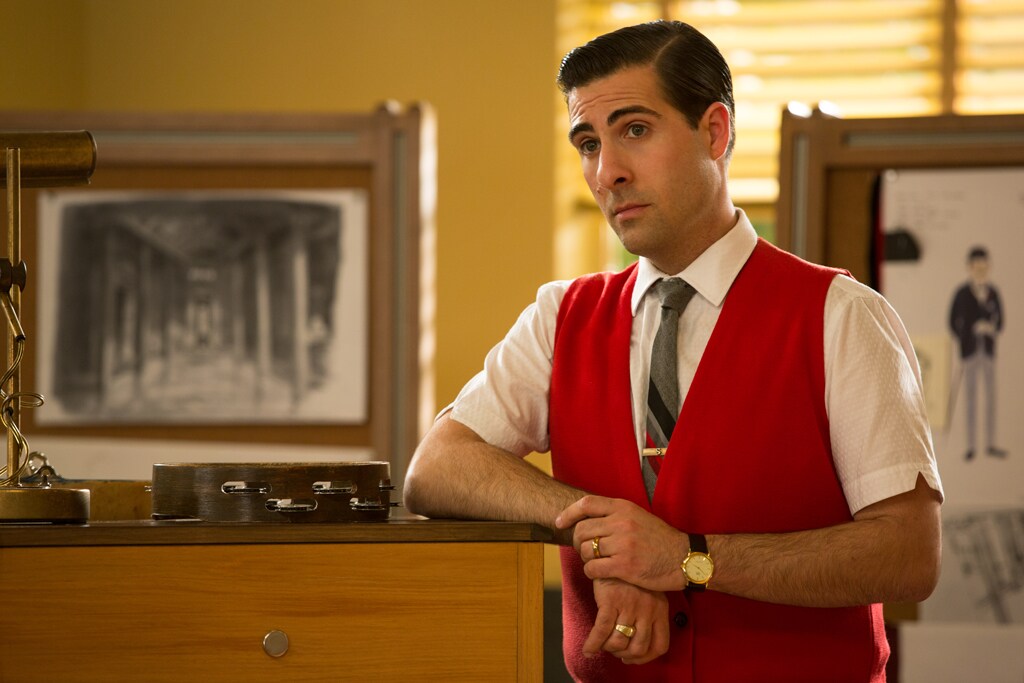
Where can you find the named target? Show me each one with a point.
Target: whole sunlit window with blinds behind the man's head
(864, 58)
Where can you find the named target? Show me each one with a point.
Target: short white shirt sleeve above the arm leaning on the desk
(506, 404)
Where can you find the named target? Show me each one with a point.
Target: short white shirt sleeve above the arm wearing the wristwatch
(881, 438)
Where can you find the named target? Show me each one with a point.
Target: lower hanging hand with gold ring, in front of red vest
(648, 612)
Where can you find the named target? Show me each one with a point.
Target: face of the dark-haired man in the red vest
(654, 177)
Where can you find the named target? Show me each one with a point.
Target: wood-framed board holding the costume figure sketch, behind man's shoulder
(903, 204)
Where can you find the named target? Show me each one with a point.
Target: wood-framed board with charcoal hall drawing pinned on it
(235, 281)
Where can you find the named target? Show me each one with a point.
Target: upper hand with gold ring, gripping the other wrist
(634, 545)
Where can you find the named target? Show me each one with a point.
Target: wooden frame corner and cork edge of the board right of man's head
(829, 168)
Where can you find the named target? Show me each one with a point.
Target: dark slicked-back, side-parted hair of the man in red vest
(693, 72)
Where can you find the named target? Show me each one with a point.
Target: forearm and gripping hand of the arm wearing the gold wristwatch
(890, 553)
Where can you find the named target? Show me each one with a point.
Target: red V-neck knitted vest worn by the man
(750, 454)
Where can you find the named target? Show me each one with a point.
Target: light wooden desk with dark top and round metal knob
(404, 601)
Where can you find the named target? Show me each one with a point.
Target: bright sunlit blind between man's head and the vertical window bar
(867, 58)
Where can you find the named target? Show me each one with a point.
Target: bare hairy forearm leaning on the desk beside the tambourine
(456, 475)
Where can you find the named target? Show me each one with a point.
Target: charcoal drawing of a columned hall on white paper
(203, 307)
